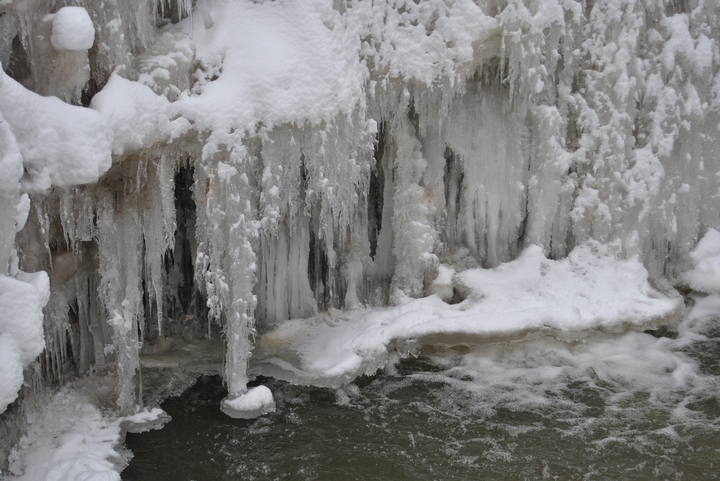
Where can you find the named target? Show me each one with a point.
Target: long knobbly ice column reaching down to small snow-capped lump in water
(225, 263)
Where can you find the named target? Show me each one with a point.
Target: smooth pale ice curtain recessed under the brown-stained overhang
(488, 140)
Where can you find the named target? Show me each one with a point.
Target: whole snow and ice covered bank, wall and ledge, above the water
(325, 185)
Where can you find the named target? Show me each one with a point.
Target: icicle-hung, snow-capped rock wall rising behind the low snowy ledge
(503, 125)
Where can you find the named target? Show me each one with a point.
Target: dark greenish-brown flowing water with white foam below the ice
(627, 408)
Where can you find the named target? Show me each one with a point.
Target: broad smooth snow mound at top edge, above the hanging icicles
(276, 62)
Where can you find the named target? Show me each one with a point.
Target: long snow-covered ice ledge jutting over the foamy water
(591, 290)
